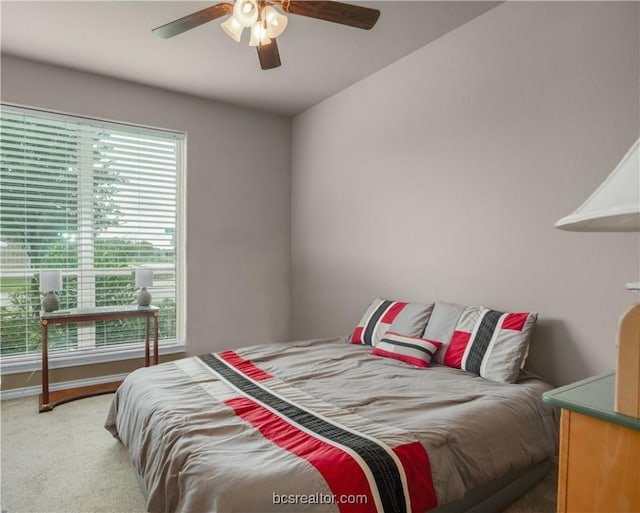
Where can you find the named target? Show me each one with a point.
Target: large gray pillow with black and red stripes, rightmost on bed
(487, 342)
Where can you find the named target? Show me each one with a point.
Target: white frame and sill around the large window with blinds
(13, 364)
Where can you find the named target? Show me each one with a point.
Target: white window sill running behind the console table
(33, 362)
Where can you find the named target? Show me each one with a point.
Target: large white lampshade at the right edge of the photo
(615, 205)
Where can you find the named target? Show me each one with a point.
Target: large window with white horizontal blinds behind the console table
(96, 200)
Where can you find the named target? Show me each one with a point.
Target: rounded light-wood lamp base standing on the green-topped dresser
(627, 398)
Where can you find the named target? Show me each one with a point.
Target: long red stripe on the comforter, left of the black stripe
(343, 474)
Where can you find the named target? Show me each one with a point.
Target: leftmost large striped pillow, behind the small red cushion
(398, 316)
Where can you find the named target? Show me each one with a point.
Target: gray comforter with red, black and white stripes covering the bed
(323, 425)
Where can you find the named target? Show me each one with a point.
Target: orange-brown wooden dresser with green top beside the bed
(599, 449)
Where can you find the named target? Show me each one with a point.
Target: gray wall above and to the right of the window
(238, 198)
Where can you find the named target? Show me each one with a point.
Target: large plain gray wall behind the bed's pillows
(441, 176)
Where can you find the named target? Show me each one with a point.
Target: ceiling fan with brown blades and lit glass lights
(266, 23)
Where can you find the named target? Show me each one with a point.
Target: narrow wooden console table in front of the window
(49, 400)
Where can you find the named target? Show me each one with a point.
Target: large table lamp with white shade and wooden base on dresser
(615, 207)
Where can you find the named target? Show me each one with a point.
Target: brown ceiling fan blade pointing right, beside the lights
(336, 12)
